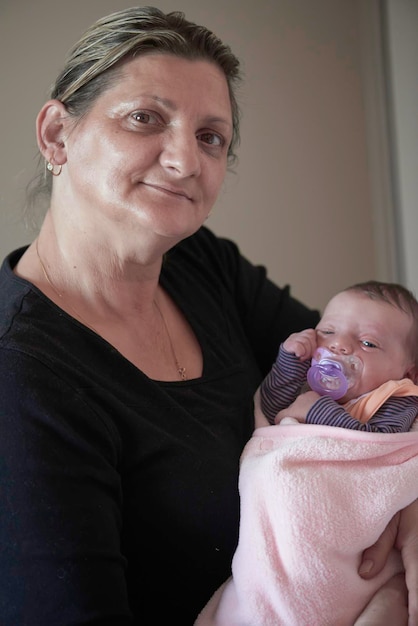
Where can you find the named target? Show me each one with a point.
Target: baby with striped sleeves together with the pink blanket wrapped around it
(314, 497)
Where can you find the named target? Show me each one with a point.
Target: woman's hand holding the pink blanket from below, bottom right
(401, 532)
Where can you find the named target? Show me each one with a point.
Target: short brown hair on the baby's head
(397, 296)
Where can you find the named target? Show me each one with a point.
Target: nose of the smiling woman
(181, 154)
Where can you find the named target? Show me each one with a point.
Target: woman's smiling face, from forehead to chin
(151, 154)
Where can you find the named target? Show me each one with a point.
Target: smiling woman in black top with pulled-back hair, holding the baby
(132, 339)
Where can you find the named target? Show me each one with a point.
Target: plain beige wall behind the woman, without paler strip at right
(300, 201)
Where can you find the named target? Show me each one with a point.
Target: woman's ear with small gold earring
(50, 127)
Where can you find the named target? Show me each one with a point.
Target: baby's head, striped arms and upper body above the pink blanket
(372, 327)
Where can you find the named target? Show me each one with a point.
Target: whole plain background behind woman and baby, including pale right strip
(324, 192)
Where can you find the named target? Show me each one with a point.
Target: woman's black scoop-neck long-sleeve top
(119, 498)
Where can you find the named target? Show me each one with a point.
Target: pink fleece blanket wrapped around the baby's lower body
(312, 499)
